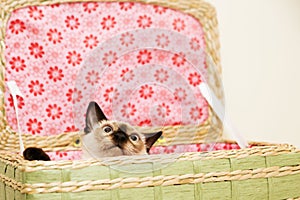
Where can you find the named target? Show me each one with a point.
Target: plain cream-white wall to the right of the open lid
(260, 53)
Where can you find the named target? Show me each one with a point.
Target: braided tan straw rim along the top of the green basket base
(265, 149)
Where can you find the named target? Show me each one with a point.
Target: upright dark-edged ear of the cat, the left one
(94, 114)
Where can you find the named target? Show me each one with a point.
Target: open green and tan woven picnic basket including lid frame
(264, 171)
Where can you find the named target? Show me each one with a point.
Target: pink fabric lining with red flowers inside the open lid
(141, 63)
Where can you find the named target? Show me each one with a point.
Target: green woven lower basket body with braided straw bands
(273, 170)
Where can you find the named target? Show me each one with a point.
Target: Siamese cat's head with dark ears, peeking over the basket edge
(105, 137)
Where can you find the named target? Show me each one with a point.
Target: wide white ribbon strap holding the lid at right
(219, 109)
